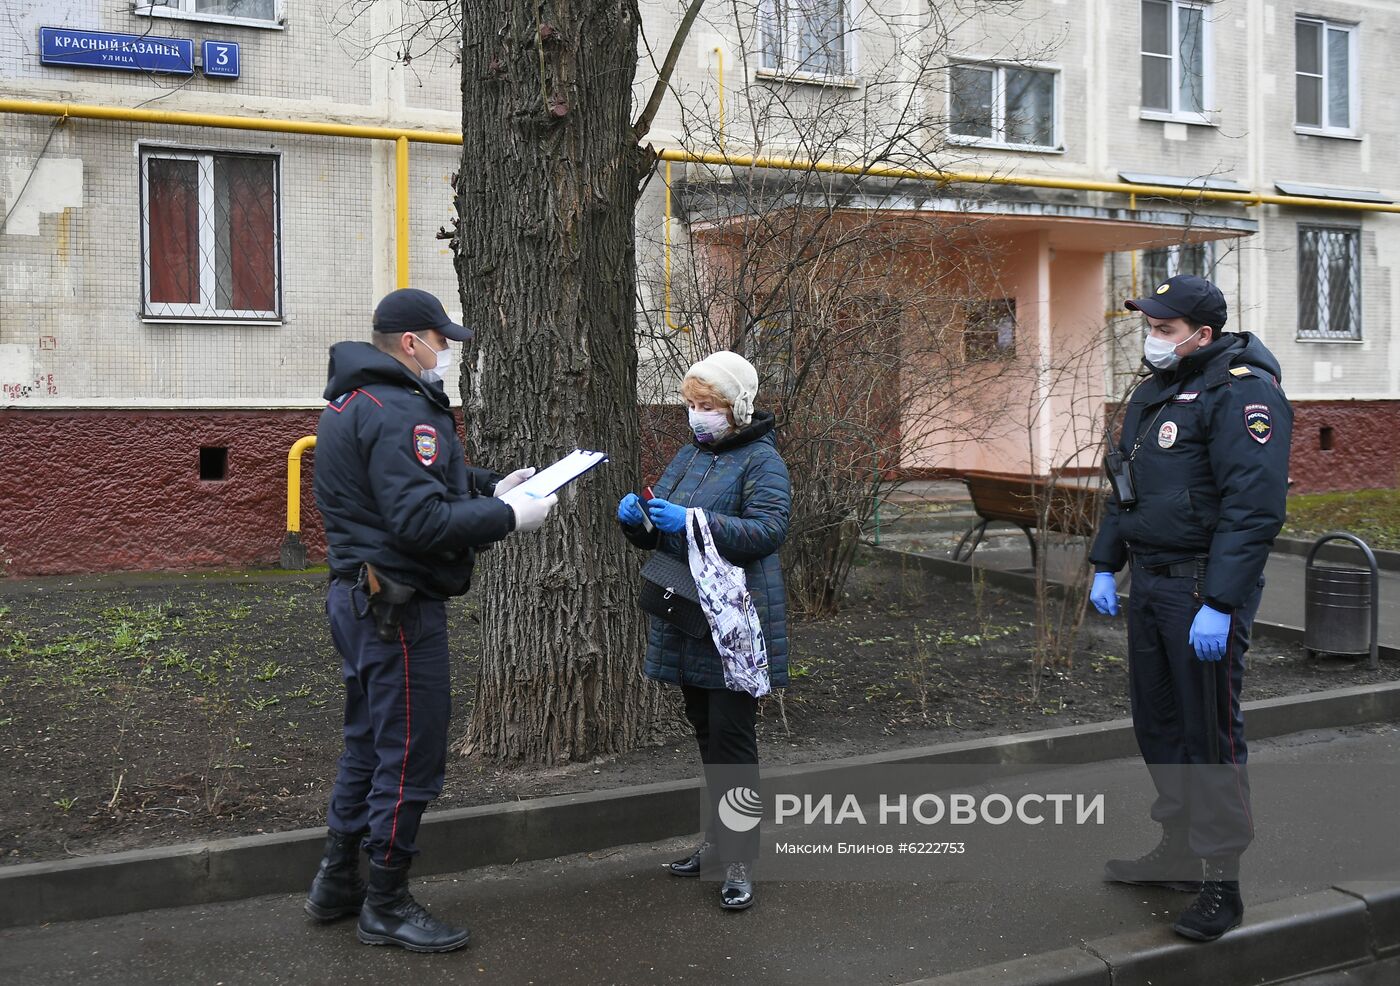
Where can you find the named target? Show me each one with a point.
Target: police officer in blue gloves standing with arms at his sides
(1200, 480)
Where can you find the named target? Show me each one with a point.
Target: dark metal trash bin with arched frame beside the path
(1342, 607)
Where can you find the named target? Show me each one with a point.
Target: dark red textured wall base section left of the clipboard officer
(121, 491)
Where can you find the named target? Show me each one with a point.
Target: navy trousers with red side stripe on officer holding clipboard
(398, 701)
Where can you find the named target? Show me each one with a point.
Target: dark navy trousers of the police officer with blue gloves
(1168, 688)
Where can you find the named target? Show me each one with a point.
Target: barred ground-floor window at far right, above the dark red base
(1329, 284)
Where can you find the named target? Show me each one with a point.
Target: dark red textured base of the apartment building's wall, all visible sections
(121, 491)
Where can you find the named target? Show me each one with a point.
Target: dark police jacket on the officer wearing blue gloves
(1212, 468)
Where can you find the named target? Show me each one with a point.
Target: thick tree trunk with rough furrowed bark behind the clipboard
(549, 183)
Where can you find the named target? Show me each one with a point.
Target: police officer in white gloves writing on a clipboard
(404, 518)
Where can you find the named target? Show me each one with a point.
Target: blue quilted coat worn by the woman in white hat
(743, 485)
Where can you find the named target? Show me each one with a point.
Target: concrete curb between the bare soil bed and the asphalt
(542, 828)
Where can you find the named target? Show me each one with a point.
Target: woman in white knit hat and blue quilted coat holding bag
(734, 473)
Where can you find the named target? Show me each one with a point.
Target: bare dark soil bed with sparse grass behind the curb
(142, 711)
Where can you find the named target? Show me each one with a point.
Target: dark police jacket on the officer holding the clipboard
(391, 481)
